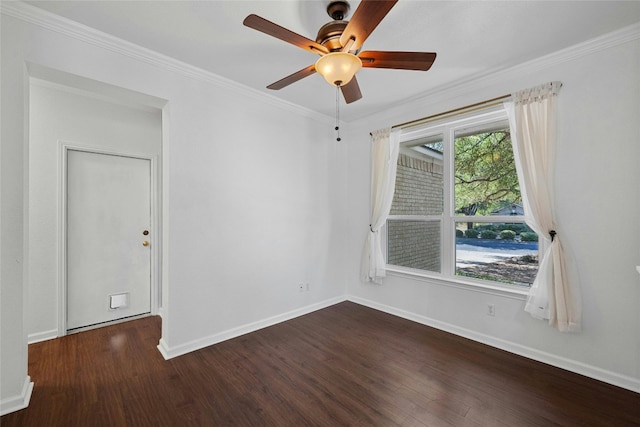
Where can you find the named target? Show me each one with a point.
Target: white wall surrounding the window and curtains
(598, 200)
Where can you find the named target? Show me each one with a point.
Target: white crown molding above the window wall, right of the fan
(488, 78)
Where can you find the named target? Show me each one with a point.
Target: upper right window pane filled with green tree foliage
(486, 182)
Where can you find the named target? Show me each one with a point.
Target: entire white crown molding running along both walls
(36, 16)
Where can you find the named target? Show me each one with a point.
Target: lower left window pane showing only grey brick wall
(414, 244)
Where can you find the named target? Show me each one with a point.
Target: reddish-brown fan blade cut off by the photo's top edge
(364, 20)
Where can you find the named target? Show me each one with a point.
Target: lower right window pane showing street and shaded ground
(502, 252)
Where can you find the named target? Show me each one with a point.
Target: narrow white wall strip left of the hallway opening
(14, 382)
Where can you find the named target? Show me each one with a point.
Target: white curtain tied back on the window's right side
(532, 116)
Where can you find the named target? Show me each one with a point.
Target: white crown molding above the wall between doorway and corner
(49, 21)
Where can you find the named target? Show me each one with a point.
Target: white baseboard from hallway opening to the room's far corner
(171, 352)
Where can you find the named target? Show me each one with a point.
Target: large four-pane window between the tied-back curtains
(457, 211)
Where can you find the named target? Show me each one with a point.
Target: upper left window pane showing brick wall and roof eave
(419, 185)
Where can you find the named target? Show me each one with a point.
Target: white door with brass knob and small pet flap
(108, 237)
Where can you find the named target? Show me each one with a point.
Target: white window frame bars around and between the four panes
(447, 128)
